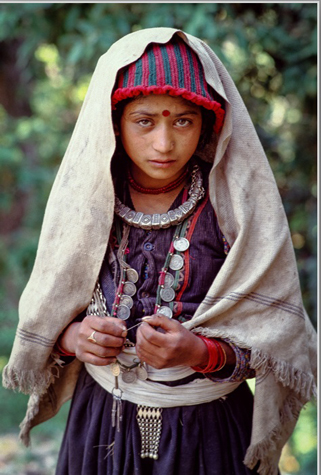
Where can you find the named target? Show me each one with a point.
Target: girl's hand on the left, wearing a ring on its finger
(109, 335)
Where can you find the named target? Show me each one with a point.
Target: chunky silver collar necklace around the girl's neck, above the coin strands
(172, 217)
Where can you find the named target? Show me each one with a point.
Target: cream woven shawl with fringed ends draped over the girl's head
(255, 299)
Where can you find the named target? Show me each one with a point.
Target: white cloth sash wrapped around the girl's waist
(153, 394)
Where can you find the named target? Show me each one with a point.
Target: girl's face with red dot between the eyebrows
(160, 134)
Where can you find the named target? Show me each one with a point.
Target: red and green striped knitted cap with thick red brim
(171, 68)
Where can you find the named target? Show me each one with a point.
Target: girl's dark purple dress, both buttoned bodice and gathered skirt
(205, 439)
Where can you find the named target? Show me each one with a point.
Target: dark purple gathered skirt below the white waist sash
(206, 439)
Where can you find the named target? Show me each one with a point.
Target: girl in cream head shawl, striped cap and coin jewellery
(165, 277)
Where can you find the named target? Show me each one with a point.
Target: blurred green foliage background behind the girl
(47, 54)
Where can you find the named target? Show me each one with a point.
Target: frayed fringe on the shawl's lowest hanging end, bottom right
(261, 452)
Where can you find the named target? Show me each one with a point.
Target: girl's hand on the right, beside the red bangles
(172, 347)
